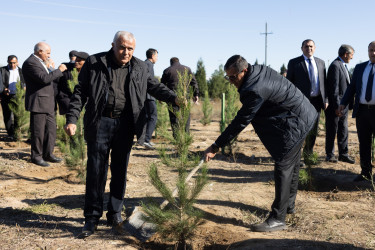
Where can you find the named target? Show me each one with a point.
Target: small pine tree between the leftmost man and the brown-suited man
(21, 116)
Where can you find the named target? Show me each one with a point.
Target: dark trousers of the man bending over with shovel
(286, 182)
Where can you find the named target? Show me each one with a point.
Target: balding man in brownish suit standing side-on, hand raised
(40, 101)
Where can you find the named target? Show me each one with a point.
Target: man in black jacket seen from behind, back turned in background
(170, 78)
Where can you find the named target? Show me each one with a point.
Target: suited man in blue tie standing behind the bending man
(308, 73)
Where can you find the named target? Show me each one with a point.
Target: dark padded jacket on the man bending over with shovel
(280, 114)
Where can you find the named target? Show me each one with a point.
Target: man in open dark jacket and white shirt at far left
(11, 74)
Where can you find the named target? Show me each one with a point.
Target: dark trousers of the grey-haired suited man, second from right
(336, 126)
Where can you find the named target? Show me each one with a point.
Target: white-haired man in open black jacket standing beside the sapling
(113, 87)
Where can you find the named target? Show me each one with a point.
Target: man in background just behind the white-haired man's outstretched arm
(150, 105)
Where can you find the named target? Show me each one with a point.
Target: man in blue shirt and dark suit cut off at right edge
(362, 86)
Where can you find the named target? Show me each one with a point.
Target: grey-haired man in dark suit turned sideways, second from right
(338, 79)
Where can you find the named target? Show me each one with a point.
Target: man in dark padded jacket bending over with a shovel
(282, 117)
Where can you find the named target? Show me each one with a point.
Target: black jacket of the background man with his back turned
(170, 77)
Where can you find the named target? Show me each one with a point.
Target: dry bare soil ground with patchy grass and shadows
(41, 207)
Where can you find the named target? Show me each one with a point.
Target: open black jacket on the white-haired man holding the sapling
(92, 89)
